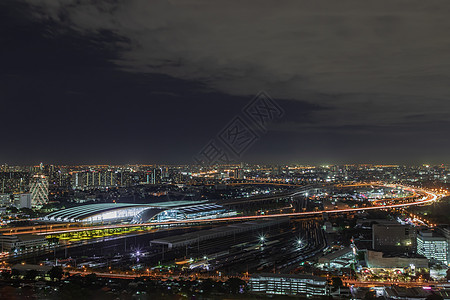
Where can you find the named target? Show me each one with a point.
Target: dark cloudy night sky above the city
(138, 81)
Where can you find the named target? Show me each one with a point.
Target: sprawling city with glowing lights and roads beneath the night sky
(344, 227)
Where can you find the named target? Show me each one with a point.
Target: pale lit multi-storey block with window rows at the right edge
(432, 246)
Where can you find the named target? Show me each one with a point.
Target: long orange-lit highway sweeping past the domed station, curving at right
(428, 198)
